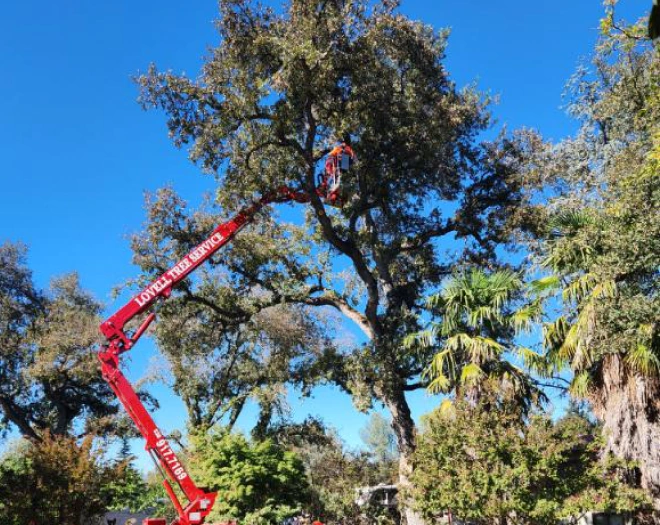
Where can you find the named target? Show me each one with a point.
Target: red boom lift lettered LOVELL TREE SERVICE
(198, 502)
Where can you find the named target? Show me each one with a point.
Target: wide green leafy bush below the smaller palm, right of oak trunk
(486, 465)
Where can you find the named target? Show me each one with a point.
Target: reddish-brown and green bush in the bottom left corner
(59, 480)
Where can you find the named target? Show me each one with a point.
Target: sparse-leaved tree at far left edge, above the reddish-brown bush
(49, 376)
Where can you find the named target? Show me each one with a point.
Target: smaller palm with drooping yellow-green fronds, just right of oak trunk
(475, 338)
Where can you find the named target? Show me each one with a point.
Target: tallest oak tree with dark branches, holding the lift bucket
(273, 97)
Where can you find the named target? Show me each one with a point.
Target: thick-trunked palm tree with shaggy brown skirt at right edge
(609, 334)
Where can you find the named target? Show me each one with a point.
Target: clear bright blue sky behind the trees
(78, 153)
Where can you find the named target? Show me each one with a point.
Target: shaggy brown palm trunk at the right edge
(629, 407)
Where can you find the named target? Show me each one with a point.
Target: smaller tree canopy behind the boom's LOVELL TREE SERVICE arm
(228, 339)
